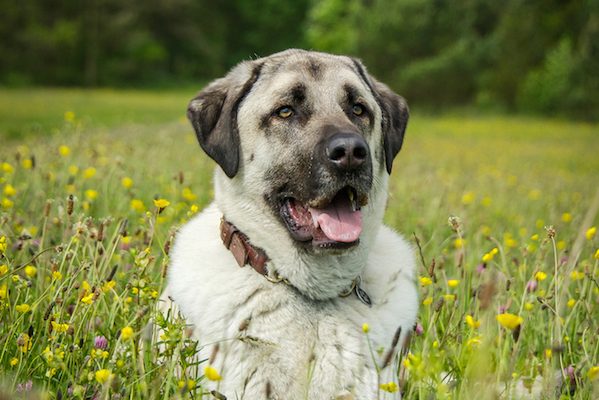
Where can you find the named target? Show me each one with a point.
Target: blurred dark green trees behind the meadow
(534, 56)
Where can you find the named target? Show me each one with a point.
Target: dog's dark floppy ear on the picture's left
(213, 114)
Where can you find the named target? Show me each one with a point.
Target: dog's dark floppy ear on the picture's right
(395, 114)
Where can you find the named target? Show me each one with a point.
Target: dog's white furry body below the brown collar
(286, 328)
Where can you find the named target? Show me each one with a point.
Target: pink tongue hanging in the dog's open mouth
(338, 221)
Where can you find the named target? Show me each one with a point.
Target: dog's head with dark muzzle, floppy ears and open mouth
(307, 138)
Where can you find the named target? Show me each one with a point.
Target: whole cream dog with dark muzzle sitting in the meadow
(292, 258)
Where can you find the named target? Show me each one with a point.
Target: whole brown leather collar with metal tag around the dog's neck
(245, 253)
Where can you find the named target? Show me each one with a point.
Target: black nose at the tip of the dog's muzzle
(347, 151)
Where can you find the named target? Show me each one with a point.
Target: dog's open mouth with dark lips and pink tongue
(334, 222)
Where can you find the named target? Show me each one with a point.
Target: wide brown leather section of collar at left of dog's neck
(243, 251)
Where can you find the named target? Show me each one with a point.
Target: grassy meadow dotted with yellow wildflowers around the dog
(502, 212)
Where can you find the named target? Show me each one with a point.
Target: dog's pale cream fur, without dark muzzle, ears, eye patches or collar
(301, 339)
